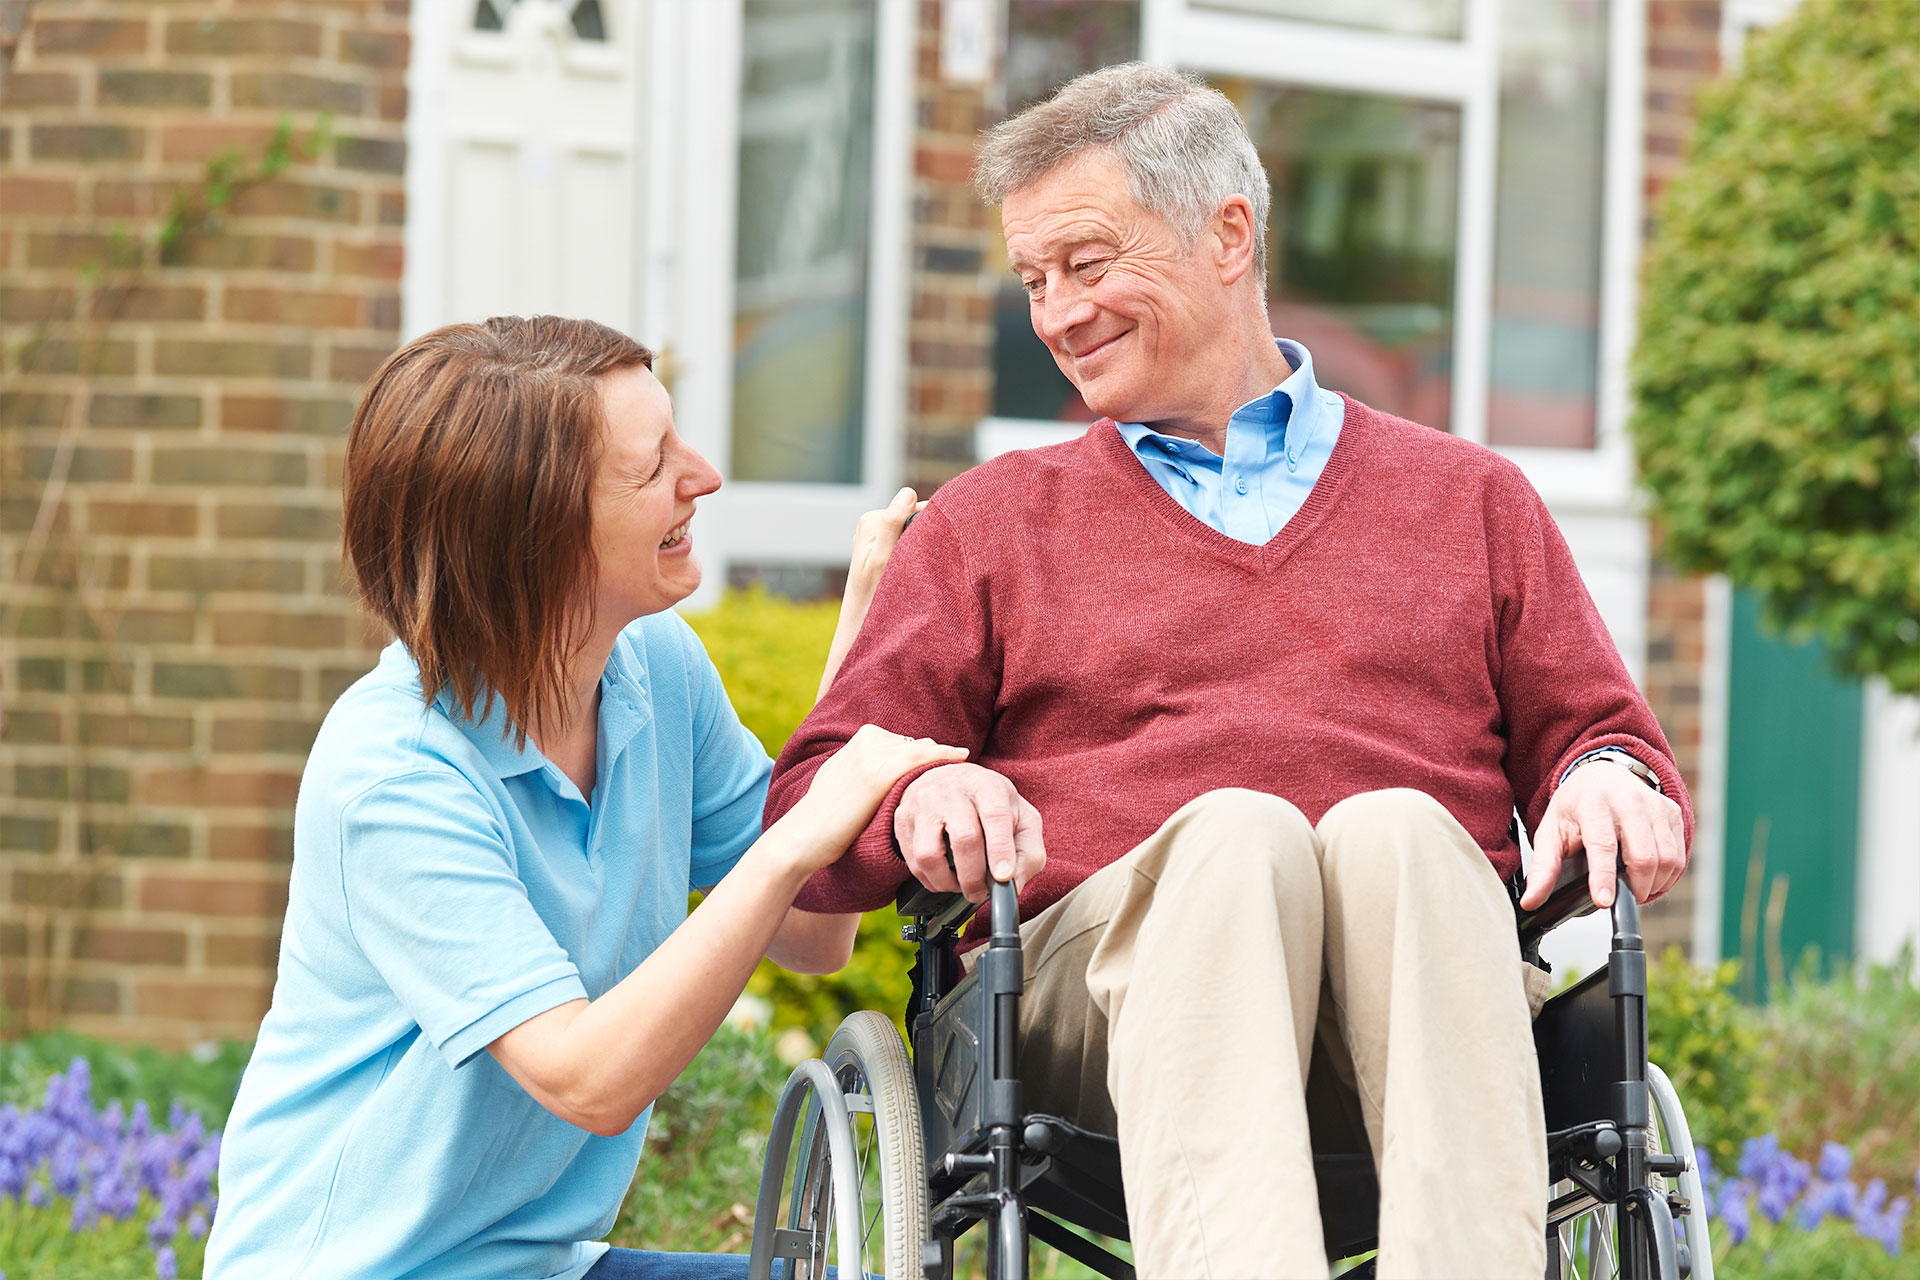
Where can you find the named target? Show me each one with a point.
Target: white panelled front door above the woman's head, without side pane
(523, 183)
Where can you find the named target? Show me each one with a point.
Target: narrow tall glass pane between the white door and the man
(802, 252)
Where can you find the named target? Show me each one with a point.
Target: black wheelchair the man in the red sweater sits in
(882, 1158)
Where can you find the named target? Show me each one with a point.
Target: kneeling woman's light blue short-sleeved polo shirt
(448, 888)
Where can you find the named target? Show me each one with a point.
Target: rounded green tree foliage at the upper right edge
(1779, 369)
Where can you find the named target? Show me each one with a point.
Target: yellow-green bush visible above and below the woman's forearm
(771, 653)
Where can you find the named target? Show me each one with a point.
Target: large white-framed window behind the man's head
(1441, 195)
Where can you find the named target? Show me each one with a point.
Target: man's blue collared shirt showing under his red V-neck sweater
(1278, 446)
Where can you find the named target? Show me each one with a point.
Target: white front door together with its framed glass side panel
(723, 179)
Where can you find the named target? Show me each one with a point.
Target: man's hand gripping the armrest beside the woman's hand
(986, 822)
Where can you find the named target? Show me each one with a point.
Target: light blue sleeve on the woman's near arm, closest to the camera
(435, 903)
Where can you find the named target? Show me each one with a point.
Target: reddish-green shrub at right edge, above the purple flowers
(1842, 1062)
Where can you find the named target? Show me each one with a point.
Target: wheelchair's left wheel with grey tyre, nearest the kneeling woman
(855, 1197)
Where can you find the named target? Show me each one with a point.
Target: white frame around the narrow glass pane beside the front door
(690, 258)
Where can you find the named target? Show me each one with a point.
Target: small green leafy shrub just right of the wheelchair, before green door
(1710, 1045)
